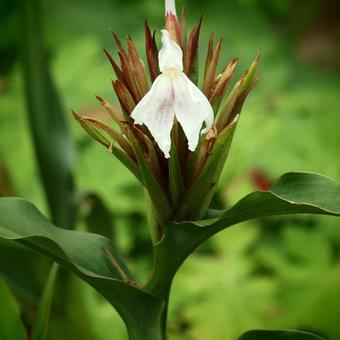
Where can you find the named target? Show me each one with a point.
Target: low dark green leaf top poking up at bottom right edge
(278, 335)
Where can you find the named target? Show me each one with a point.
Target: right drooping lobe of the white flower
(192, 108)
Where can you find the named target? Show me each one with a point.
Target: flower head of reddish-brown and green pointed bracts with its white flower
(174, 136)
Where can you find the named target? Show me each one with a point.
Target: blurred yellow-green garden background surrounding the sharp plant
(271, 273)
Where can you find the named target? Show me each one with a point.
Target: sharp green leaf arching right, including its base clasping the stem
(293, 193)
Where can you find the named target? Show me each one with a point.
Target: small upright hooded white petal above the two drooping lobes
(170, 56)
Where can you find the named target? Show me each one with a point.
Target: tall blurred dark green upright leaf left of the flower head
(53, 146)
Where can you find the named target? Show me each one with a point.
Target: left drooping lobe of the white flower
(156, 111)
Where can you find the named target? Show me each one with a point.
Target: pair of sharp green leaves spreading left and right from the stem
(105, 270)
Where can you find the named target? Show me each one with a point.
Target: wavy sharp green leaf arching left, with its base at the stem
(92, 257)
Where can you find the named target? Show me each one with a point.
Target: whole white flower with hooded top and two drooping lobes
(173, 95)
